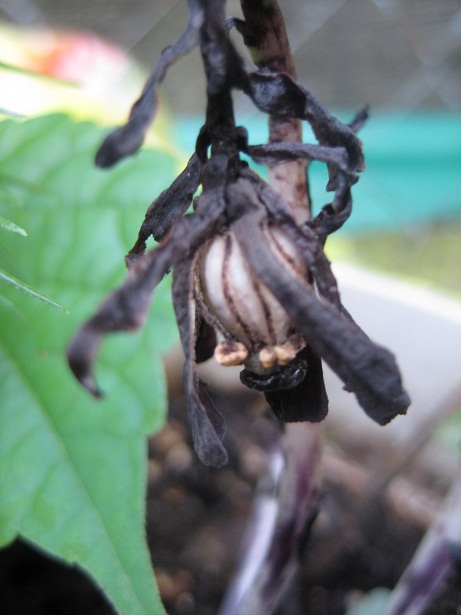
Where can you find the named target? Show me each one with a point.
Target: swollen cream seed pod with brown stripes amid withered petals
(256, 329)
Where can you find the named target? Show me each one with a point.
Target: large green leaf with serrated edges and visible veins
(74, 469)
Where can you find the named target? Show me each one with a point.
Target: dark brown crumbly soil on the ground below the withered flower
(196, 518)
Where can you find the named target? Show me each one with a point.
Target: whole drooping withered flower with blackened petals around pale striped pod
(251, 285)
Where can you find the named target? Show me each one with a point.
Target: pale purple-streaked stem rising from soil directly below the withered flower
(282, 514)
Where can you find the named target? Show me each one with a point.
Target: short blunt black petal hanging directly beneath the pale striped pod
(308, 400)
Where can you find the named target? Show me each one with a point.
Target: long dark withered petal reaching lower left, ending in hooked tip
(126, 308)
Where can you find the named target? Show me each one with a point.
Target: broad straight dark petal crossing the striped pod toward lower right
(369, 370)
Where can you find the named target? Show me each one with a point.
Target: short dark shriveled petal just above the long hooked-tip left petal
(167, 208)
